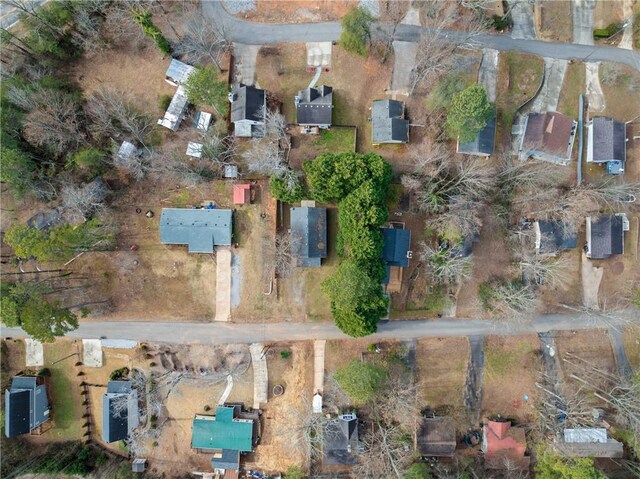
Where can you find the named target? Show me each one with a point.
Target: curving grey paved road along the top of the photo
(251, 33)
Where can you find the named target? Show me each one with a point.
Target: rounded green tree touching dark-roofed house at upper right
(468, 113)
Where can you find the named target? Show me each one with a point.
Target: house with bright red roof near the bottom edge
(502, 444)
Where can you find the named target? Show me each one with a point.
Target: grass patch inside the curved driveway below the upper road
(519, 77)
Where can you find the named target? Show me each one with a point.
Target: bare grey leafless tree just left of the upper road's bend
(203, 40)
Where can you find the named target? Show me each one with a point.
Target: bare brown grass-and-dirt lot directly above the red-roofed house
(512, 366)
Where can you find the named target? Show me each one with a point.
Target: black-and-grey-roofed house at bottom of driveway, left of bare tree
(248, 107)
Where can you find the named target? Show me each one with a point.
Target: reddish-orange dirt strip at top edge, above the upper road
(297, 11)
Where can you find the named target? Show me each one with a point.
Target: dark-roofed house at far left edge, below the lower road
(26, 406)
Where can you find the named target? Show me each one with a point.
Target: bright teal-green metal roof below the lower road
(222, 431)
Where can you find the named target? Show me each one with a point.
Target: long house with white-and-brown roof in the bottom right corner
(588, 442)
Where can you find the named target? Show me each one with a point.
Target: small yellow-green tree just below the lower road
(361, 381)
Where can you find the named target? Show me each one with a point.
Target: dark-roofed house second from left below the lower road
(119, 411)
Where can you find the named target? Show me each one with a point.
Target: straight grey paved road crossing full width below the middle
(230, 333)
